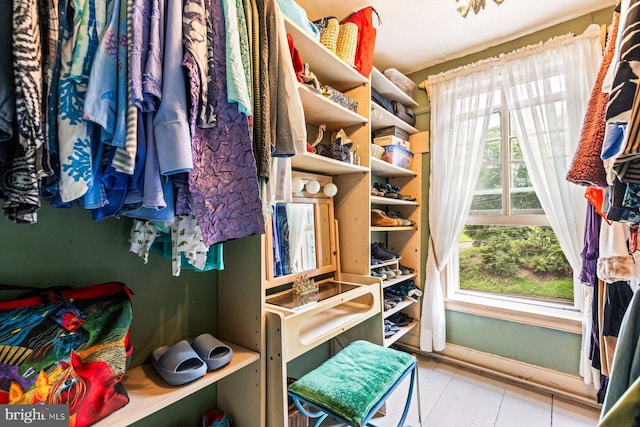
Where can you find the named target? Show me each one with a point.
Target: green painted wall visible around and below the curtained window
(539, 346)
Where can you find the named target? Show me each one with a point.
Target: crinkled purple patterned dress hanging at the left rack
(223, 183)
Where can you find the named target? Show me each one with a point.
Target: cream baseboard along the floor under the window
(563, 385)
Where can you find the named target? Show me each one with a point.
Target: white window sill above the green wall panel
(559, 317)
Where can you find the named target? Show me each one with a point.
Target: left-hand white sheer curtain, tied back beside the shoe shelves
(460, 110)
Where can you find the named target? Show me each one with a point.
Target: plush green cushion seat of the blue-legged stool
(354, 380)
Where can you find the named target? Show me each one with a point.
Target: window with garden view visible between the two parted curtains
(507, 248)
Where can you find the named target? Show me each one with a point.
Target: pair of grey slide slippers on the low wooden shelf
(189, 360)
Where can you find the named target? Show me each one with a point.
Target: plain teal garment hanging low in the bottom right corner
(623, 391)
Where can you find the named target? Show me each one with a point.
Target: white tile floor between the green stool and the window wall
(453, 397)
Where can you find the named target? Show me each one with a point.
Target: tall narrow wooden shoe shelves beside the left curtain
(403, 240)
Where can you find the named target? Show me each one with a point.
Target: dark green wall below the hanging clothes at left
(67, 248)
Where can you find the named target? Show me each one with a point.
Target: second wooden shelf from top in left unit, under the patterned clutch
(319, 109)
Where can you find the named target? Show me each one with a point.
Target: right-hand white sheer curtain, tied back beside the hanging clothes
(547, 91)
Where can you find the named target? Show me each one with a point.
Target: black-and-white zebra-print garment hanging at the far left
(20, 182)
